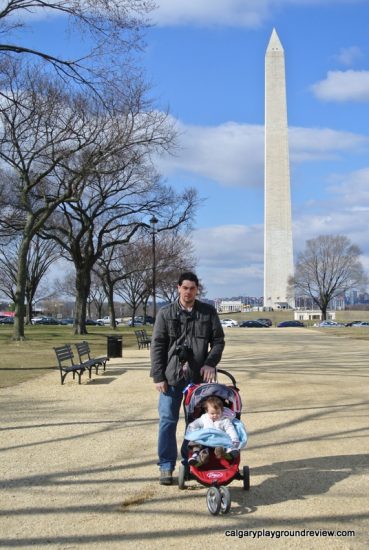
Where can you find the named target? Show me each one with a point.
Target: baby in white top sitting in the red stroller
(219, 418)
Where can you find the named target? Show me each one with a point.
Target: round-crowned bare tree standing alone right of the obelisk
(328, 267)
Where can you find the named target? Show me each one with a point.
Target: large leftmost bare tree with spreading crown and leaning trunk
(49, 141)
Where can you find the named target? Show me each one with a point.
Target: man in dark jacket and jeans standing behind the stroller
(186, 346)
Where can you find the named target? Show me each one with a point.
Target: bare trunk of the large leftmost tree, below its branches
(20, 292)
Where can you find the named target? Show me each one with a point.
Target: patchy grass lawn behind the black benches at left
(34, 356)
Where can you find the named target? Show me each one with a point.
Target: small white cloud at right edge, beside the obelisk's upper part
(343, 86)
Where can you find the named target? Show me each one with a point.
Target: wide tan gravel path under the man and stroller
(79, 467)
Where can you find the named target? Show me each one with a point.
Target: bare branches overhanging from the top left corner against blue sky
(112, 29)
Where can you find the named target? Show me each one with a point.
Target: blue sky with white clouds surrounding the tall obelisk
(205, 60)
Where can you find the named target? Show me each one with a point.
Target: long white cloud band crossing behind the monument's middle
(233, 154)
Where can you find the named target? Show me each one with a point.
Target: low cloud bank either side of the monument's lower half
(231, 256)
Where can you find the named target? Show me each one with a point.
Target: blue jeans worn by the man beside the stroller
(169, 407)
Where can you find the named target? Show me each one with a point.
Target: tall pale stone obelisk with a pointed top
(278, 250)
